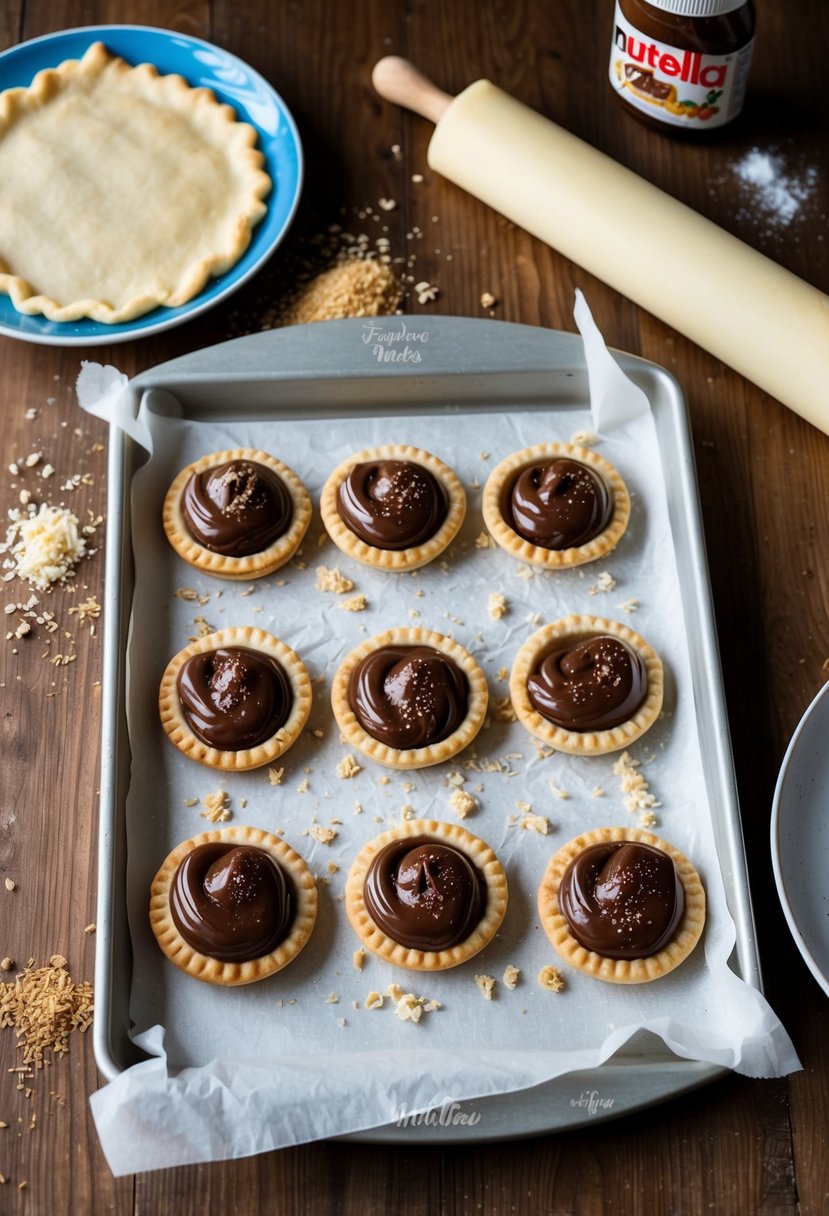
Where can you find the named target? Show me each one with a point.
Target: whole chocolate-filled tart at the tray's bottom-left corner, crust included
(233, 907)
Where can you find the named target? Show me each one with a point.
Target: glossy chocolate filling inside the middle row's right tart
(590, 685)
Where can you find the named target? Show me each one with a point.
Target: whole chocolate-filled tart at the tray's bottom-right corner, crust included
(622, 905)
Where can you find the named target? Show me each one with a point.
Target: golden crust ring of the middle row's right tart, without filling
(573, 629)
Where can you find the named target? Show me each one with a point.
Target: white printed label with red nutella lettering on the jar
(680, 88)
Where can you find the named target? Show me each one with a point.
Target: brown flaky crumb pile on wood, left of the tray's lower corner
(44, 1005)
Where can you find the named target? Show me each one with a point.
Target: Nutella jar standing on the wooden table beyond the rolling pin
(683, 65)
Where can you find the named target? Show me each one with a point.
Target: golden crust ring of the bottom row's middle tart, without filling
(386, 948)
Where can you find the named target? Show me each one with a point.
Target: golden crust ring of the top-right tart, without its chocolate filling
(537, 555)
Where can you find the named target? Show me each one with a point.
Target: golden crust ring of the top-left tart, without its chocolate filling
(255, 566)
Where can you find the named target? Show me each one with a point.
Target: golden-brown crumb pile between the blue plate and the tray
(356, 288)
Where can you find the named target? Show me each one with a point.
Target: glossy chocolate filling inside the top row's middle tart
(392, 504)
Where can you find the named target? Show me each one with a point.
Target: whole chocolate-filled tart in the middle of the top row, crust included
(394, 508)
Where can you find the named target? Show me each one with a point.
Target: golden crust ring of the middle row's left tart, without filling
(179, 730)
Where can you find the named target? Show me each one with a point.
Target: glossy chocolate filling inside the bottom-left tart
(232, 903)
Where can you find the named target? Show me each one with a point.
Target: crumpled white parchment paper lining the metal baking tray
(291, 1060)
